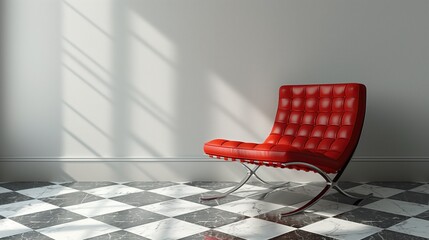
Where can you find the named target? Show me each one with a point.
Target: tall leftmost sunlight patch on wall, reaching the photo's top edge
(86, 83)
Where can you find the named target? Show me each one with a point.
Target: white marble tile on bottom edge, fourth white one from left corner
(255, 229)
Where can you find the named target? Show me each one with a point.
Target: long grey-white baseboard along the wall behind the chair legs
(180, 169)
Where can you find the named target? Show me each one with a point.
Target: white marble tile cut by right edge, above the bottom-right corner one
(398, 207)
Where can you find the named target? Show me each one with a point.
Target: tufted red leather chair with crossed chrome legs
(317, 128)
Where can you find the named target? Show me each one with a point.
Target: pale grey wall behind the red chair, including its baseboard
(130, 90)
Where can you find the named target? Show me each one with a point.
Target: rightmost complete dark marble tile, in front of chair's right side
(372, 217)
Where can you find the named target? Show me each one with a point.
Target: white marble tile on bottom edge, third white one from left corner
(167, 229)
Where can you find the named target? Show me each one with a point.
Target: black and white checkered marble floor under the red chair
(167, 210)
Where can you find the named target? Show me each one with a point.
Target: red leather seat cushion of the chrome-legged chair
(269, 153)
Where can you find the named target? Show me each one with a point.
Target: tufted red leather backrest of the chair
(326, 118)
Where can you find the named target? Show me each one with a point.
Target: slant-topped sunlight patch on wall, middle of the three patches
(153, 82)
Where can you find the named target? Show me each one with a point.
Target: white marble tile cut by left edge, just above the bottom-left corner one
(25, 207)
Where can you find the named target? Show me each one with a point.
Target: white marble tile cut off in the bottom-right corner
(413, 226)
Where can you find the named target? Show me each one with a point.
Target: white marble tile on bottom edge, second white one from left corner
(77, 230)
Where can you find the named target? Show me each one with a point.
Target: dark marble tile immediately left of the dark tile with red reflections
(211, 217)
